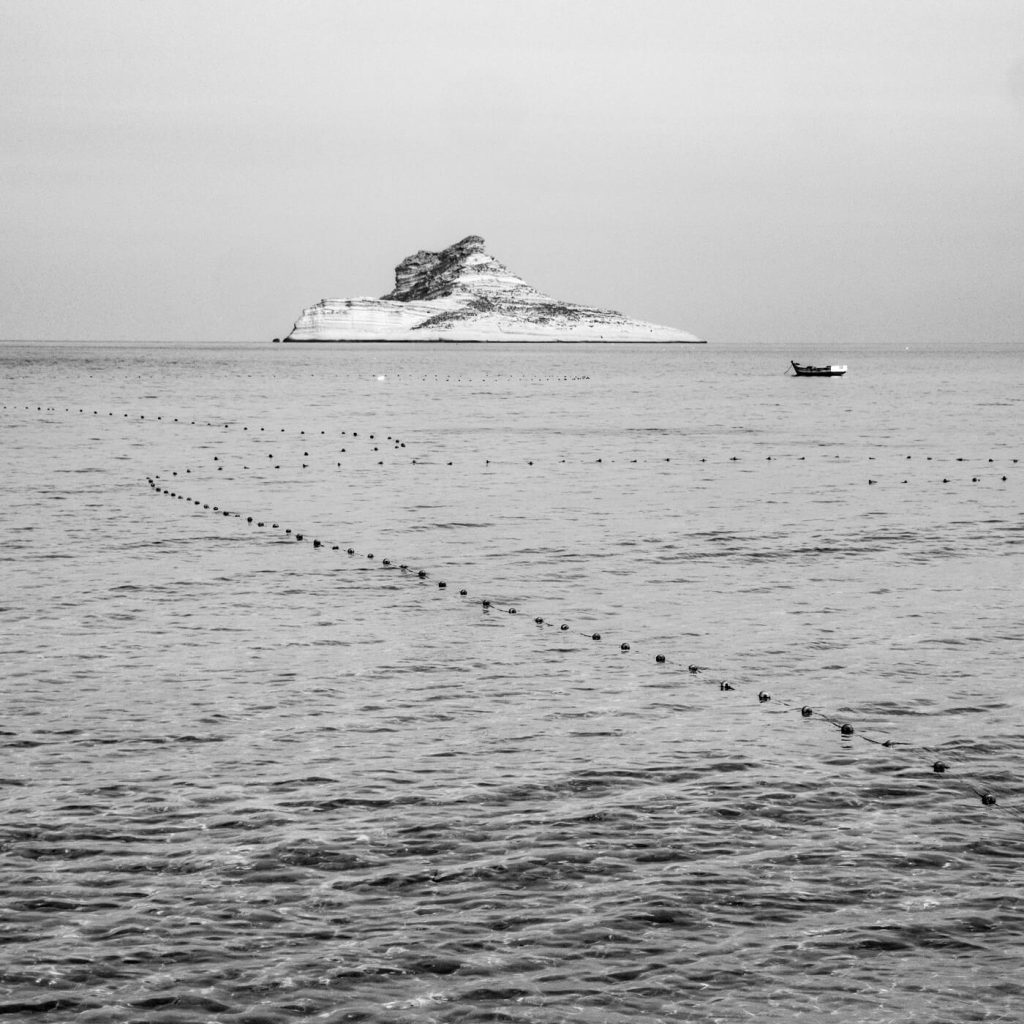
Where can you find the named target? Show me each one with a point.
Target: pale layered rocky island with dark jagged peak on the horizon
(462, 294)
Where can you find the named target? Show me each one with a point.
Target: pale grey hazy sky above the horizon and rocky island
(747, 170)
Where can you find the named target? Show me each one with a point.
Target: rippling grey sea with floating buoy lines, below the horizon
(609, 685)
